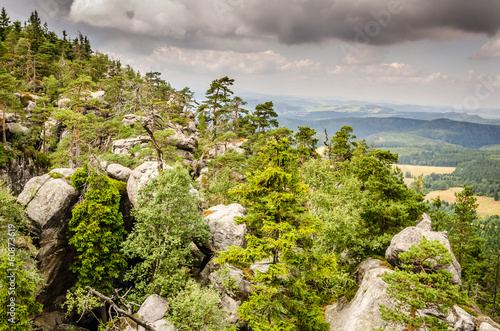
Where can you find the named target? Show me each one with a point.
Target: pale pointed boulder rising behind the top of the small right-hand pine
(412, 236)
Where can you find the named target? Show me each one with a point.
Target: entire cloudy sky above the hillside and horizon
(428, 52)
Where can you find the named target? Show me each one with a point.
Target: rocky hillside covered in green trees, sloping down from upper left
(140, 174)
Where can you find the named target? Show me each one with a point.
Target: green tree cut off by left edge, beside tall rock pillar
(20, 279)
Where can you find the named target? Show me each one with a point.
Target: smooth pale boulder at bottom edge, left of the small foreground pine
(362, 313)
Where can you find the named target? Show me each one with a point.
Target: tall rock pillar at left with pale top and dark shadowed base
(49, 199)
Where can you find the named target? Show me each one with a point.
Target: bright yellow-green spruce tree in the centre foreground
(300, 279)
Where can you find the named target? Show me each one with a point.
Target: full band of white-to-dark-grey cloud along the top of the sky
(292, 22)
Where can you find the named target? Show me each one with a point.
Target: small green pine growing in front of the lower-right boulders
(419, 284)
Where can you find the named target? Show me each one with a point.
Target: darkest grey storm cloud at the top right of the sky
(384, 22)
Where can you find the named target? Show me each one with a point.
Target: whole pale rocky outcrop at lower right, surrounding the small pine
(362, 312)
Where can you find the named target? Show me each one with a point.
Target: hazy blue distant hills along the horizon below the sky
(372, 120)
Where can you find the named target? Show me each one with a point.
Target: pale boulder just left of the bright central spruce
(225, 232)
